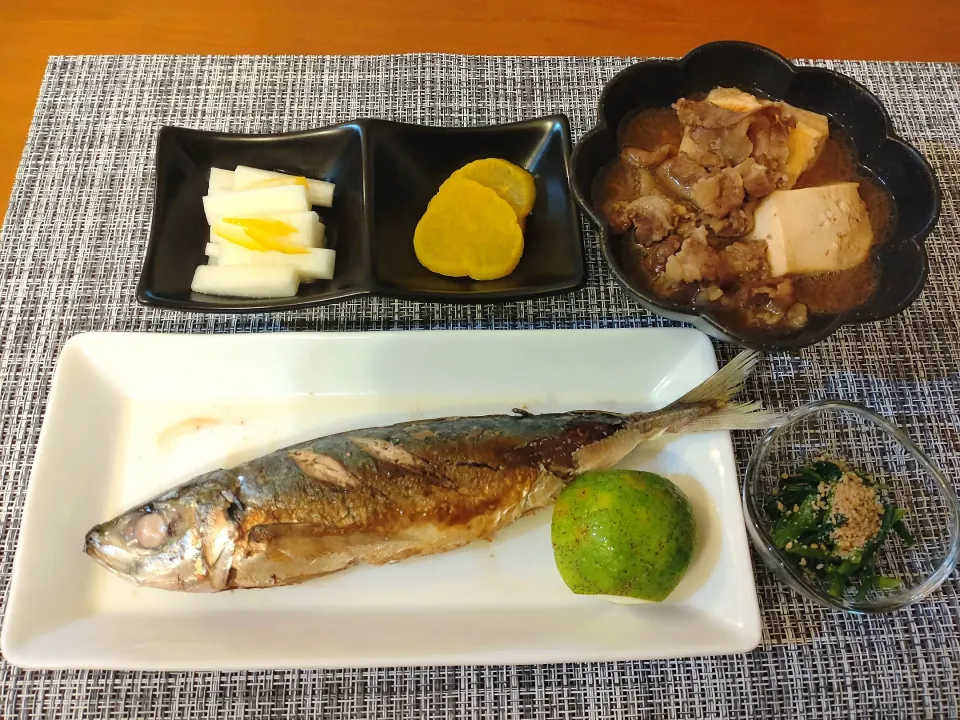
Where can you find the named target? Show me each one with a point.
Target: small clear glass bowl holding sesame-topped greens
(868, 443)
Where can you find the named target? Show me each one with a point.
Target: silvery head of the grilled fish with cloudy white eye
(182, 540)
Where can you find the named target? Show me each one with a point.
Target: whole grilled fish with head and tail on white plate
(384, 494)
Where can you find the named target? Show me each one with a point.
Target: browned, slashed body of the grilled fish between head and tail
(382, 494)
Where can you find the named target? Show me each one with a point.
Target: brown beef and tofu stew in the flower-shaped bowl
(746, 206)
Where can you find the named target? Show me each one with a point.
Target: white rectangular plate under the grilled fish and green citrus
(130, 415)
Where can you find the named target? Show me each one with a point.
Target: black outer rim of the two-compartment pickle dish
(576, 280)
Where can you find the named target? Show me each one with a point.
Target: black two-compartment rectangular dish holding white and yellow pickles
(385, 174)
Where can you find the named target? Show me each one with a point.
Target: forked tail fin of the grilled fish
(719, 389)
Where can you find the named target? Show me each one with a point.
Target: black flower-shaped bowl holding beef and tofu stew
(896, 165)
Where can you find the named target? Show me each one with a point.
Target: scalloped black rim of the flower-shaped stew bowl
(704, 321)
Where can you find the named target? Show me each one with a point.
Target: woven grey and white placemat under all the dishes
(71, 248)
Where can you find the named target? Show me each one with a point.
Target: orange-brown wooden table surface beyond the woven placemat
(31, 30)
